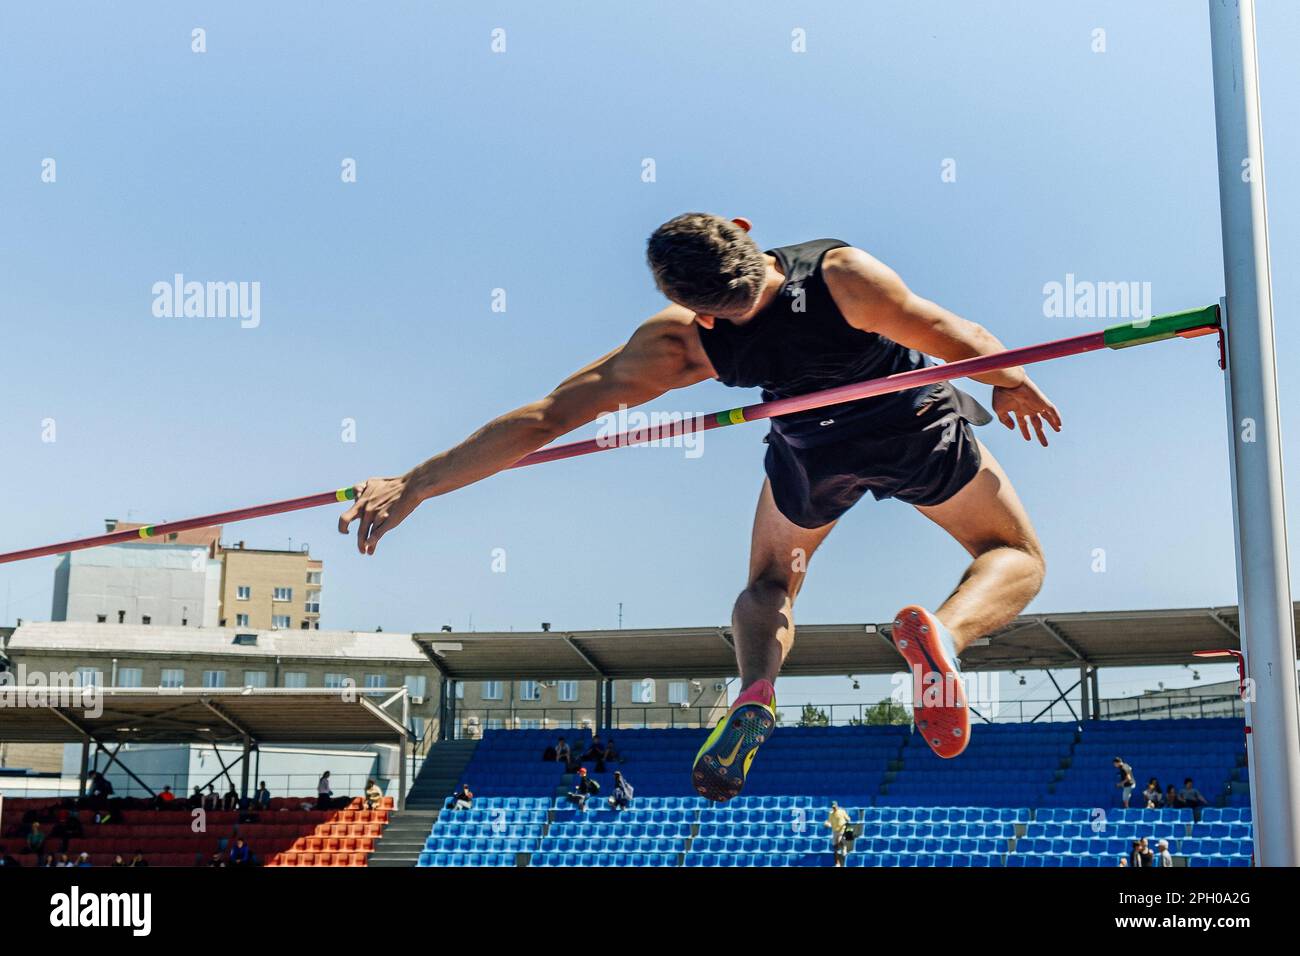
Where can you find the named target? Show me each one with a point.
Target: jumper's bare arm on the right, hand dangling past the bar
(874, 299)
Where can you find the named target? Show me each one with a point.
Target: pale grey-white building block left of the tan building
(162, 585)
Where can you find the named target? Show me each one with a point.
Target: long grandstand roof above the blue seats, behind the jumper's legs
(1034, 642)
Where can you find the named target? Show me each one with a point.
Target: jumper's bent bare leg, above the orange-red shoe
(990, 522)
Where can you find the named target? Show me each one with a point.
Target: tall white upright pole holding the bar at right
(1267, 615)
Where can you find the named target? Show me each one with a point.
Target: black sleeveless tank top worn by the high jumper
(801, 343)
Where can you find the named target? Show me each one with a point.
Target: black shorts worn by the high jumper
(922, 460)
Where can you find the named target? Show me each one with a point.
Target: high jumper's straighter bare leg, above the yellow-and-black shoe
(764, 618)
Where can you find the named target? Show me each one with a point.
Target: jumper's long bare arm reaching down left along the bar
(664, 354)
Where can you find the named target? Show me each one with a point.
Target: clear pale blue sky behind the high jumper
(523, 171)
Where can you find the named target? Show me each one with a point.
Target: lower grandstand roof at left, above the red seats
(268, 716)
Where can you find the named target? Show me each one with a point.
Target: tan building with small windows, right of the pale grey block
(267, 590)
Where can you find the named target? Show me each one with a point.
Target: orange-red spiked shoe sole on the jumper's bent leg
(939, 706)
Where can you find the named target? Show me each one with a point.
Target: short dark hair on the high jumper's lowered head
(707, 263)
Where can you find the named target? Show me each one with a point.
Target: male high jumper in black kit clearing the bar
(795, 321)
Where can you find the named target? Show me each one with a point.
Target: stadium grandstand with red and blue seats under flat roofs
(1037, 790)
